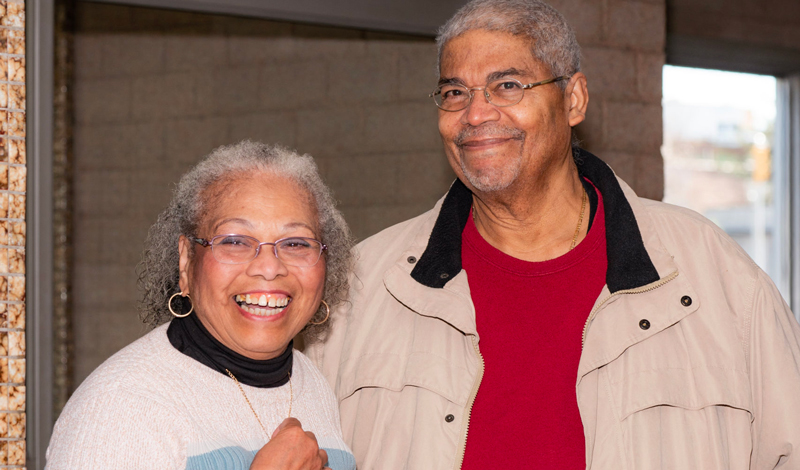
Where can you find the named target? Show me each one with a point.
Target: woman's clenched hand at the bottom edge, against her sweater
(290, 448)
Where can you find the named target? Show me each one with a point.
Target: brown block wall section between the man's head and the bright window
(623, 47)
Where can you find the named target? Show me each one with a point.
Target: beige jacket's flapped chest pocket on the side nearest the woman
(401, 407)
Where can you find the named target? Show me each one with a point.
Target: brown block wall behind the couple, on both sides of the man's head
(156, 90)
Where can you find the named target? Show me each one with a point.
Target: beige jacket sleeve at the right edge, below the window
(773, 346)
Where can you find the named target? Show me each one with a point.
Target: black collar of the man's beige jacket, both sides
(629, 265)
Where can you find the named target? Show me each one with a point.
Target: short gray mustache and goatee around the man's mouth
(498, 179)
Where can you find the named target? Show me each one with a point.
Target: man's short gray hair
(552, 39)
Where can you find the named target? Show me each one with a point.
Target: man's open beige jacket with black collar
(710, 381)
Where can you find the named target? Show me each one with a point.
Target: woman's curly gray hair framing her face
(158, 270)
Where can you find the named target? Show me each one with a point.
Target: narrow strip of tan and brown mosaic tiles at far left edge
(12, 234)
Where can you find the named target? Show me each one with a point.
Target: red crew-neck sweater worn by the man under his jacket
(530, 319)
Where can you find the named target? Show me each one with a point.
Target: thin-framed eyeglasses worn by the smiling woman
(239, 249)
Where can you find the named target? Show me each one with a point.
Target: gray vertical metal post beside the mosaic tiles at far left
(39, 244)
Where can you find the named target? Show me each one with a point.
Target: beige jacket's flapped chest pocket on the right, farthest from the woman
(680, 403)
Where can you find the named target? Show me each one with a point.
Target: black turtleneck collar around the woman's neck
(189, 336)
